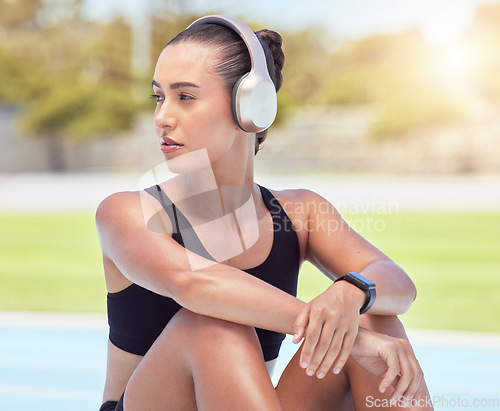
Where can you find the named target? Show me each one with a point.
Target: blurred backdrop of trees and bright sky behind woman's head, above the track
(367, 91)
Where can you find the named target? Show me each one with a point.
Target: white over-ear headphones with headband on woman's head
(254, 101)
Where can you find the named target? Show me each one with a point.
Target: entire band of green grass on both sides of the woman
(53, 263)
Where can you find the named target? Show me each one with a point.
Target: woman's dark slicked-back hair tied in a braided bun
(234, 57)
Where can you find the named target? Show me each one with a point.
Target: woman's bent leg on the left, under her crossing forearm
(202, 363)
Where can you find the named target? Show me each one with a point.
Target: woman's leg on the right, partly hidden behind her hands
(353, 388)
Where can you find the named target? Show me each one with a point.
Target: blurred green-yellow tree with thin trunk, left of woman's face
(72, 77)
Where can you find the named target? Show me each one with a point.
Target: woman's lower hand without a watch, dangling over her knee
(391, 359)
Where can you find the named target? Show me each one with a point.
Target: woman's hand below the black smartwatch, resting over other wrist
(329, 324)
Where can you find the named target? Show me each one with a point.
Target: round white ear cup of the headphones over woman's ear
(254, 103)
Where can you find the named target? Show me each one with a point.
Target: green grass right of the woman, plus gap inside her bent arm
(454, 260)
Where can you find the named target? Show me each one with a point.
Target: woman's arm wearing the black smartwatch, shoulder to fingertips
(330, 321)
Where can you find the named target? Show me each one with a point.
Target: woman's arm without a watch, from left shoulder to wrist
(156, 262)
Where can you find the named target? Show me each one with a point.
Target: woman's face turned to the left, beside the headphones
(193, 110)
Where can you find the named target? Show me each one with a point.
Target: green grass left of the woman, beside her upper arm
(50, 262)
